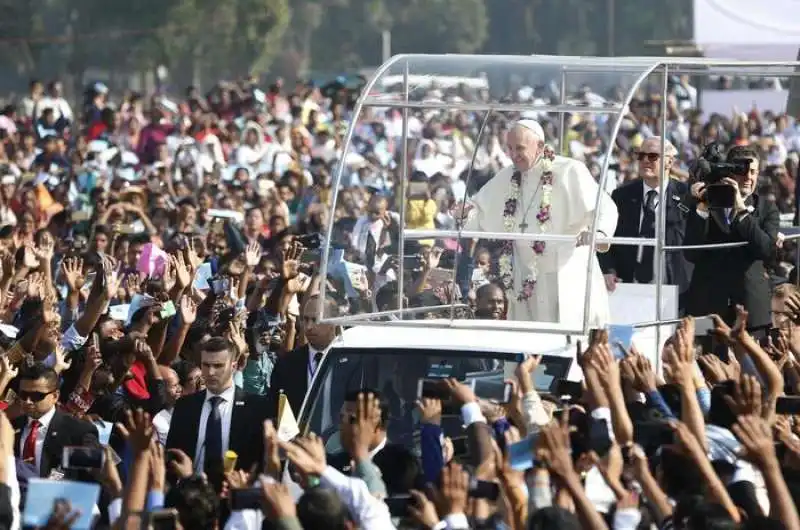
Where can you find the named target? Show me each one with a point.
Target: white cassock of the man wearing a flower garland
(560, 288)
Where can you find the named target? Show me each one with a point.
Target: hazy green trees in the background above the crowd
(207, 39)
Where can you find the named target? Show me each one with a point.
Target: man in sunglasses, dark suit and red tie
(43, 431)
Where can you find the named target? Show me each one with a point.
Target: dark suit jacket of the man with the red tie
(64, 430)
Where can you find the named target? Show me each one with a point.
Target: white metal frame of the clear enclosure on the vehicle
(639, 68)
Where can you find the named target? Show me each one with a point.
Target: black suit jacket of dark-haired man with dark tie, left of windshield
(246, 433)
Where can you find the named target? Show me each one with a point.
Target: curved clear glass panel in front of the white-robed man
(398, 204)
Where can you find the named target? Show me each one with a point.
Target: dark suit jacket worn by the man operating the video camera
(726, 277)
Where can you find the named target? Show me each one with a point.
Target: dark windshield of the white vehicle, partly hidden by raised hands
(395, 374)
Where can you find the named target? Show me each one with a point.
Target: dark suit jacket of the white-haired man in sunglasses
(621, 259)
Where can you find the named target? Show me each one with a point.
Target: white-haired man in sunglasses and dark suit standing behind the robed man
(637, 203)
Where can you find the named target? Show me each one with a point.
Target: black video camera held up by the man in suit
(711, 168)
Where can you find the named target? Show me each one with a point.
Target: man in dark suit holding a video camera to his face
(726, 277)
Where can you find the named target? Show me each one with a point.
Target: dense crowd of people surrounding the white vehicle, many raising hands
(160, 270)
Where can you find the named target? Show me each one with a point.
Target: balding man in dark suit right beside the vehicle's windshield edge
(294, 371)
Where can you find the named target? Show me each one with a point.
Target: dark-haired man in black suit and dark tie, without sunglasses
(223, 417)
